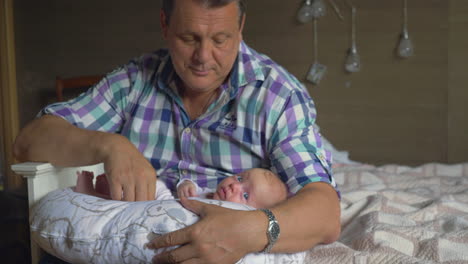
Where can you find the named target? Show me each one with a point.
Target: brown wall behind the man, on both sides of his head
(393, 111)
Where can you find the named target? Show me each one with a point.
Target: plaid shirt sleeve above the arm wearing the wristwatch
(296, 150)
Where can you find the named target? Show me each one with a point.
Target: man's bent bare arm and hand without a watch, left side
(52, 139)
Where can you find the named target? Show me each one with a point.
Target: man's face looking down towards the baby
(203, 43)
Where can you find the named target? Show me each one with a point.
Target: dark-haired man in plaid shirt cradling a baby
(208, 108)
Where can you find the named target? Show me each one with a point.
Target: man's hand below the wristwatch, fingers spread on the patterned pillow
(220, 236)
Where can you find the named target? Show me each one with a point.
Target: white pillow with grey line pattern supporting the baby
(79, 228)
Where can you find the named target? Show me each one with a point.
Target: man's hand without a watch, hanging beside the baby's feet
(131, 177)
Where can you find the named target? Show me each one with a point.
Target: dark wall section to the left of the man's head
(67, 38)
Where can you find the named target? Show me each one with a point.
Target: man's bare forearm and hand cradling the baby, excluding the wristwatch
(222, 235)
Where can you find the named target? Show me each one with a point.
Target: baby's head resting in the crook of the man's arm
(258, 188)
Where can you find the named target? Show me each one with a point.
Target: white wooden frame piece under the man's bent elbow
(43, 178)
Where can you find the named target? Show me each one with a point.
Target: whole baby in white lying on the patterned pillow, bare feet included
(259, 188)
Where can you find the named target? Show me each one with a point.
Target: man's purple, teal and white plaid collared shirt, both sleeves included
(263, 118)
